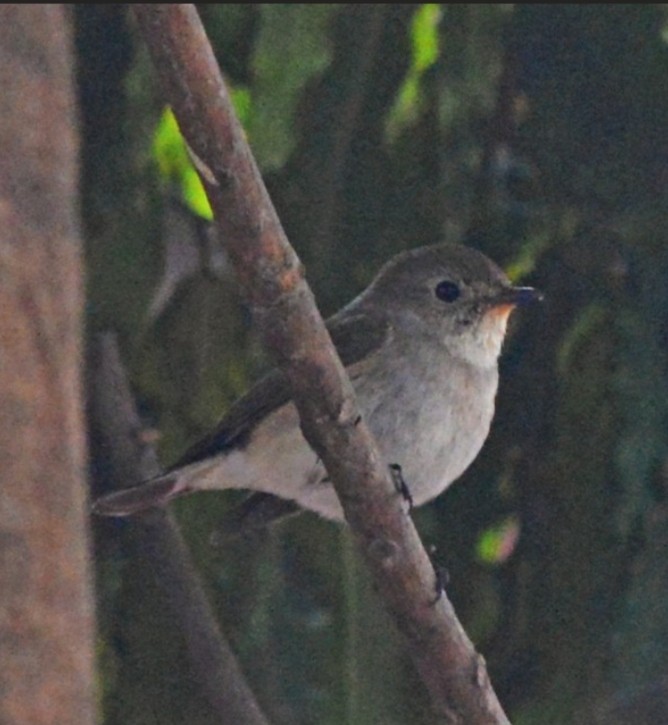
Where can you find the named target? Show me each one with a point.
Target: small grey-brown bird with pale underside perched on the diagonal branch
(421, 346)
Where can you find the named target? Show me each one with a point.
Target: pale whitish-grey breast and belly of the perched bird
(430, 413)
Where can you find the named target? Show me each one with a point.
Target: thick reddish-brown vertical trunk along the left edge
(46, 612)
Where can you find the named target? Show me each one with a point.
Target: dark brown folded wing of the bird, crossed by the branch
(355, 337)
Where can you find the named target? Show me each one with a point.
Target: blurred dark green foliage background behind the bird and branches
(534, 132)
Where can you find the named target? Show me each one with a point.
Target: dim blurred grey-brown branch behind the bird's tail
(116, 426)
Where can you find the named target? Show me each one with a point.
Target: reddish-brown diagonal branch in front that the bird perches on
(272, 279)
